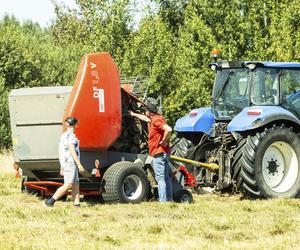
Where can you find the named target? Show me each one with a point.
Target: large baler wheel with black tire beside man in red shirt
(120, 179)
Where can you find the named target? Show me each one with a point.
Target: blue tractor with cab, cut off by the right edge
(251, 130)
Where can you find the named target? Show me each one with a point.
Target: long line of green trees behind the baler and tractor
(171, 45)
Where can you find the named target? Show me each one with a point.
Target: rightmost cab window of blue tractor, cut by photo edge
(290, 89)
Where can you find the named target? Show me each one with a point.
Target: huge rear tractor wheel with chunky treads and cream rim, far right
(269, 166)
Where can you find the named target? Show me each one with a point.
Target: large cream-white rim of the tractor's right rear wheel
(280, 166)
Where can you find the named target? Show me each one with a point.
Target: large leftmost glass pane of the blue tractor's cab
(230, 93)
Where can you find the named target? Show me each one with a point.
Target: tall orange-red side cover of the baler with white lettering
(96, 101)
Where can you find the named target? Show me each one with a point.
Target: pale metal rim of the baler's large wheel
(132, 187)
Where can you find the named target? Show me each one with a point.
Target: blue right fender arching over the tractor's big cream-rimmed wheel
(258, 116)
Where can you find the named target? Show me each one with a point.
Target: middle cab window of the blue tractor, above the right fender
(264, 88)
